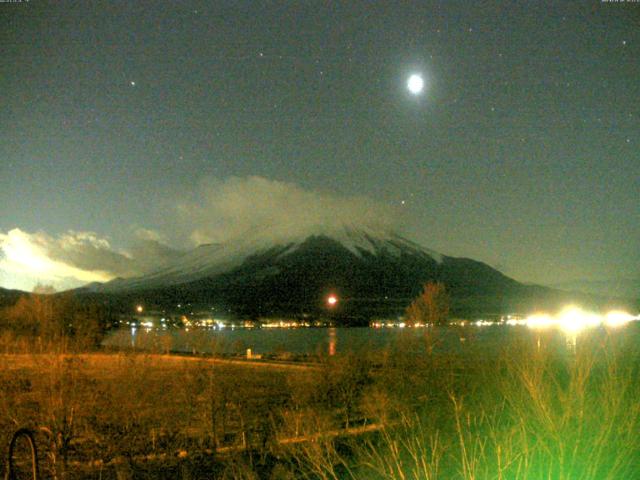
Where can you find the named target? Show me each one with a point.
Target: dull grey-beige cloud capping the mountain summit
(222, 210)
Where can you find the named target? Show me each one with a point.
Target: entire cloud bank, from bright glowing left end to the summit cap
(216, 211)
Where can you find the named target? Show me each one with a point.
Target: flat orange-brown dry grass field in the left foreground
(99, 408)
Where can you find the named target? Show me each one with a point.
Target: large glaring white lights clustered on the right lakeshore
(573, 319)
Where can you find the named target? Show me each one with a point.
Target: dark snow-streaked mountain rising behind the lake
(374, 273)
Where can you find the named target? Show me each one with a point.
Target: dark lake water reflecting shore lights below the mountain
(330, 341)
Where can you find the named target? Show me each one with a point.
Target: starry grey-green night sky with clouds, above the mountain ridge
(522, 151)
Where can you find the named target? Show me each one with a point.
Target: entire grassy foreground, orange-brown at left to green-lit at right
(524, 412)
